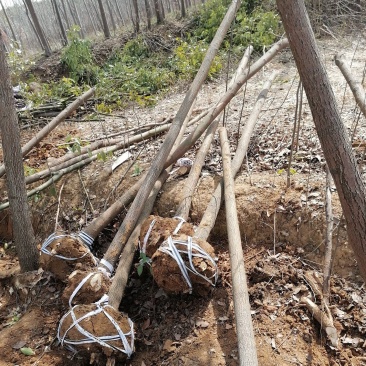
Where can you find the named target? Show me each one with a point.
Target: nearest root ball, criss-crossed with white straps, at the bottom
(97, 328)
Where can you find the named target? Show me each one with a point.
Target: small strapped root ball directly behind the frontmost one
(85, 287)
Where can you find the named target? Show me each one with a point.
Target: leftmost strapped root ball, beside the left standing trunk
(62, 254)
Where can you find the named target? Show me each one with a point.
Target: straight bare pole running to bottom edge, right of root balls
(243, 319)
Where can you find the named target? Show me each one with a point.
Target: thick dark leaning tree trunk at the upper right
(330, 129)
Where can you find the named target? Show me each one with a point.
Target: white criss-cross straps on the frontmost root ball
(104, 341)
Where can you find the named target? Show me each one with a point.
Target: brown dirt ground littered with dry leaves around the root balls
(282, 233)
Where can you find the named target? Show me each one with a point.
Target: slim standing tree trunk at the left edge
(23, 234)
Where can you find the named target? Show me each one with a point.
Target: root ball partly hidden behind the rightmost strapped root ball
(155, 230)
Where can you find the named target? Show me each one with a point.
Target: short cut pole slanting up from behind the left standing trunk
(54, 123)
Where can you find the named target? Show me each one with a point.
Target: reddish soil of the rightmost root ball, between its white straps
(168, 275)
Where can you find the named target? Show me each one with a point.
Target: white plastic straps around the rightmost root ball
(169, 247)
